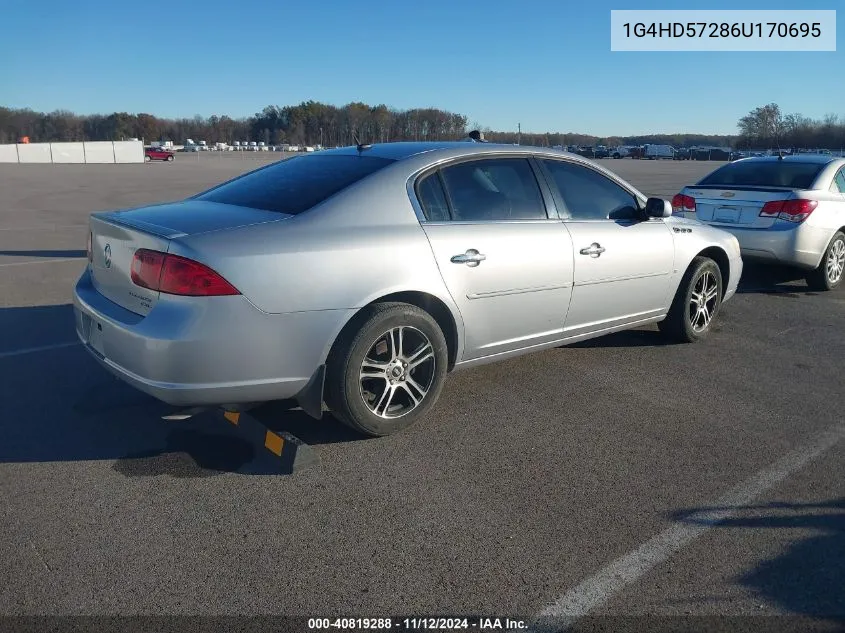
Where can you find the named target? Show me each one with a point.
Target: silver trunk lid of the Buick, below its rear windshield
(115, 236)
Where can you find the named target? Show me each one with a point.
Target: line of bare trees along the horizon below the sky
(312, 123)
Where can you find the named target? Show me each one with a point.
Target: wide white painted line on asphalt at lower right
(608, 582)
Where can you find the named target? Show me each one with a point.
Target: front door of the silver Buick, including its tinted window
(622, 264)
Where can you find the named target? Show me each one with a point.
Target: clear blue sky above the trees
(545, 64)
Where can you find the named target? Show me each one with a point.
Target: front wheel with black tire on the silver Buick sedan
(680, 325)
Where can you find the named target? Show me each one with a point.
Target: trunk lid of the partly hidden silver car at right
(737, 207)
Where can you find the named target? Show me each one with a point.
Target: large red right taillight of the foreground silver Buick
(176, 275)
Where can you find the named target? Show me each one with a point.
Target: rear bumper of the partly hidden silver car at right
(801, 245)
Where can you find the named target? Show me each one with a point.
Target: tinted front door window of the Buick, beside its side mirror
(589, 195)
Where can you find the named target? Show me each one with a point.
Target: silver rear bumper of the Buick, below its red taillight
(205, 351)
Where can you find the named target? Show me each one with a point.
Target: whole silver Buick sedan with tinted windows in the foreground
(356, 279)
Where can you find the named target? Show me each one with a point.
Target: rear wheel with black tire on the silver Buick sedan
(351, 398)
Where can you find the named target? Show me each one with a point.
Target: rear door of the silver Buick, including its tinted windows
(506, 263)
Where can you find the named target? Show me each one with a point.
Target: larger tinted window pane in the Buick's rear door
(494, 189)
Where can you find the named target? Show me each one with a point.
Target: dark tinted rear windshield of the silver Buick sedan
(295, 185)
